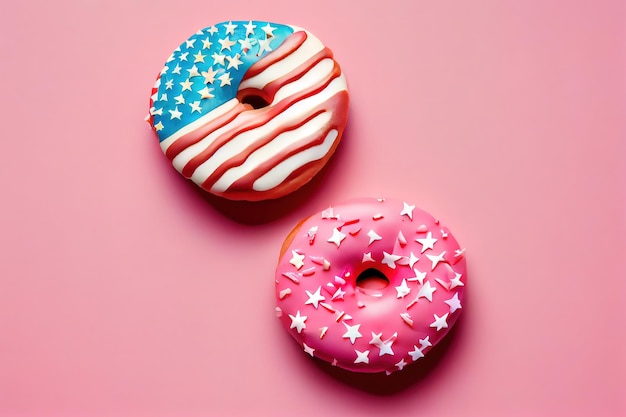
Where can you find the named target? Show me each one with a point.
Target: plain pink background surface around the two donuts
(505, 119)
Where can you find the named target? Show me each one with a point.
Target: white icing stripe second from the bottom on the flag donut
(273, 148)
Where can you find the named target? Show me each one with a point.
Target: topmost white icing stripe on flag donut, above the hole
(308, 49)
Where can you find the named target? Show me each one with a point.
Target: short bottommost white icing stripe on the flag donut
(280, 172)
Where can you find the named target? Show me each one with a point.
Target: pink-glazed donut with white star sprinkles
(370, 285)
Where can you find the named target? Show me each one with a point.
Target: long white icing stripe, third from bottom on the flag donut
(293, 114)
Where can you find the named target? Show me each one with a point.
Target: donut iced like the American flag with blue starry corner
(249, 110)
